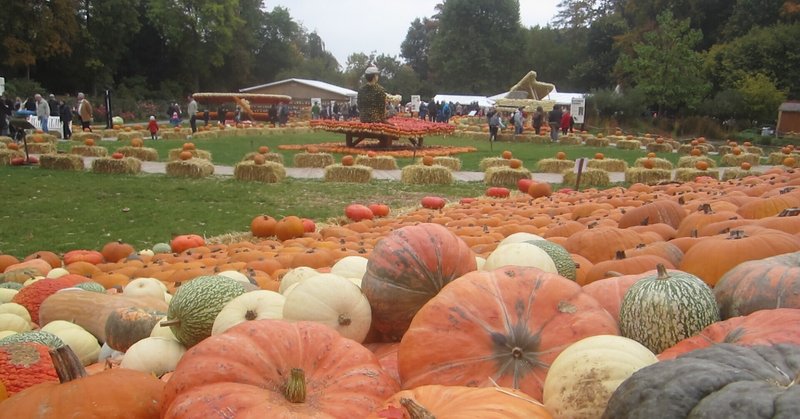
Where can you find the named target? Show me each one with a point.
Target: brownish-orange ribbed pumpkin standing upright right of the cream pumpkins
(406, 269)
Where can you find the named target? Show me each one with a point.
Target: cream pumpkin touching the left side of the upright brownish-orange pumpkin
(331, 300)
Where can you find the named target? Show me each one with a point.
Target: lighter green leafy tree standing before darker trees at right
(666, 67)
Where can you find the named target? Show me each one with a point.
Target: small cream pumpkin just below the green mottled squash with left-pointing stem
(153, 355)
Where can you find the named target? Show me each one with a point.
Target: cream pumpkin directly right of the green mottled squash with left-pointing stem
(254, 305)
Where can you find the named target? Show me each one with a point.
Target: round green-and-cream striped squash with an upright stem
(660, 310)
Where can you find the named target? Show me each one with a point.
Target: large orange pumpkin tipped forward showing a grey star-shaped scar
(504, 326)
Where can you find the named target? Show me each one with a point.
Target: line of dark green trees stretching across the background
(729, 59)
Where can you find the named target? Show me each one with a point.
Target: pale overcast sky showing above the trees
(350, 26)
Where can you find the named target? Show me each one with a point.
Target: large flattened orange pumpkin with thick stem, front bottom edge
(276, 369)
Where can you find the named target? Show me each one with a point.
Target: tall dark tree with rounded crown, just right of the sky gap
(477, 46)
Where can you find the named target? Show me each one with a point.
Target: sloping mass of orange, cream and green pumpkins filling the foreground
(533, 305)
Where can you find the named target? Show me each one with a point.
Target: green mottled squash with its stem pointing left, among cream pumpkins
(195, 306)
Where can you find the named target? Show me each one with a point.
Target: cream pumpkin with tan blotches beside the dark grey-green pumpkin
(585, 374)
